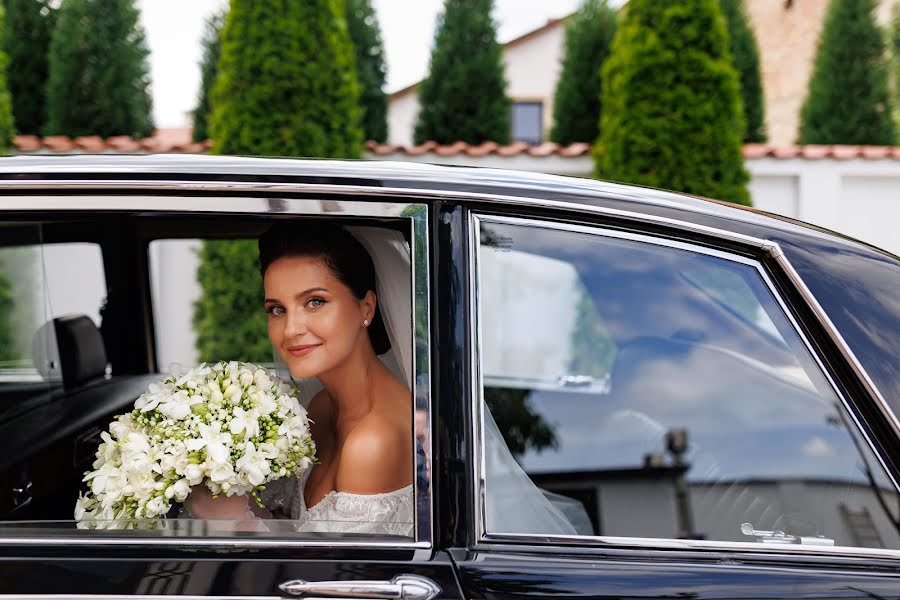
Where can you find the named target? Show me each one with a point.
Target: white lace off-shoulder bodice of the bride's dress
(390, 513)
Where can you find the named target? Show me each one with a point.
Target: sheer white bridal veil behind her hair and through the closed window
(513, 503)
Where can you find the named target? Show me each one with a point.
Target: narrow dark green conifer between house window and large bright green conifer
(578, 99)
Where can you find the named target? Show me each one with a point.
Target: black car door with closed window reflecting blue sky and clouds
(650, 419)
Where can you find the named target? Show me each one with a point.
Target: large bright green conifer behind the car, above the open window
(286, 84)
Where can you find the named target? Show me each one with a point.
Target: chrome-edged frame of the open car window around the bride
(235, 199)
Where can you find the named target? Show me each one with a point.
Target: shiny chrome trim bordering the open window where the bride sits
(417, 216)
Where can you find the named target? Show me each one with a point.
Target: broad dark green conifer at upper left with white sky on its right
(98, 71)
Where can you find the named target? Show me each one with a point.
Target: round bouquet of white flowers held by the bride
(232, 425)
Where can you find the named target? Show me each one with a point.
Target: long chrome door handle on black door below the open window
(401, 587)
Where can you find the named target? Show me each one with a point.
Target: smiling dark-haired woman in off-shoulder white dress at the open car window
(324, 322)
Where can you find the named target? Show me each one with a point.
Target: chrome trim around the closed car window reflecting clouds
(482, 536)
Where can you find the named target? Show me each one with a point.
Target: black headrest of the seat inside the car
(78, 345)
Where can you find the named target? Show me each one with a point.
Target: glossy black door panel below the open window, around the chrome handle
(178, 572)
